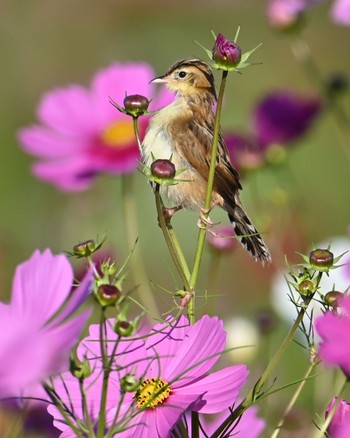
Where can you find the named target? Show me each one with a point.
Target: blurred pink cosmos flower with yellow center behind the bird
(81, 135)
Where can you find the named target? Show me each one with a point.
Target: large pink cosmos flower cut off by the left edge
(36, 337)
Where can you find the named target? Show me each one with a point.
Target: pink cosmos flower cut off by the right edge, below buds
(334, 330)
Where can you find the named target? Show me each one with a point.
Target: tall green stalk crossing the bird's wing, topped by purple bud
(202, 232)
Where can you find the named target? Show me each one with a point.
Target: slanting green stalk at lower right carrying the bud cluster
(254, 394)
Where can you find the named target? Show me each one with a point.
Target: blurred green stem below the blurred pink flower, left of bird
(145, 294)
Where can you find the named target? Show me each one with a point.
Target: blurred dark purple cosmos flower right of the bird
(283, 116)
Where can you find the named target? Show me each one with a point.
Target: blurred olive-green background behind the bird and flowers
(47, 43)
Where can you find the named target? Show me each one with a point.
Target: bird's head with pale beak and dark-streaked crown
(187, 77)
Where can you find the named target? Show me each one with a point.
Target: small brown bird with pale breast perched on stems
(183, 132)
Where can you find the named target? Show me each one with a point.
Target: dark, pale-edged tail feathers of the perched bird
(248, 234)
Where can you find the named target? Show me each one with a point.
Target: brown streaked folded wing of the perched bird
(194, 142)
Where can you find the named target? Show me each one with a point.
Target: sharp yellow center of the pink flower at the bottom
(152, 393)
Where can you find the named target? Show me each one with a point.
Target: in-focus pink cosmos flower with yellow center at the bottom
(176, 358)
